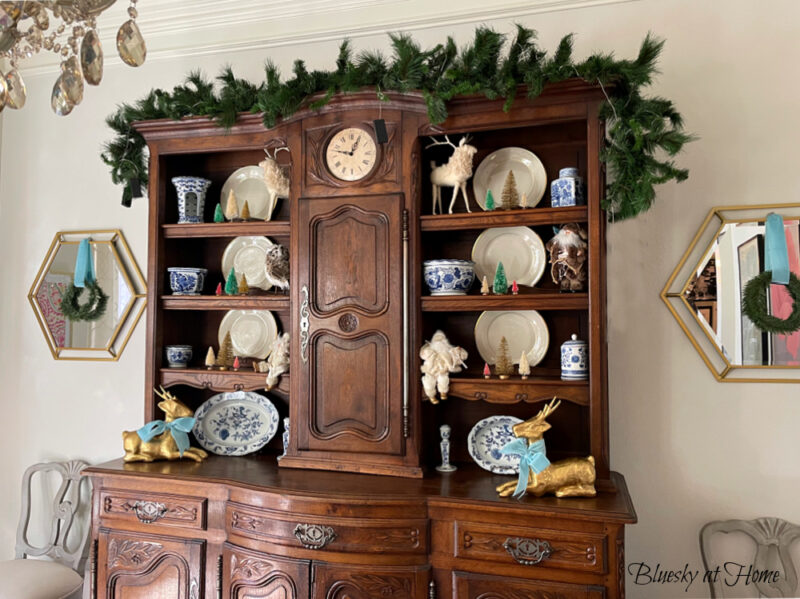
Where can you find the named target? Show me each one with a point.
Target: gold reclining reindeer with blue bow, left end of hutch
(163, 439)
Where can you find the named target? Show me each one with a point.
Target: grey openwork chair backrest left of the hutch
(66, 503)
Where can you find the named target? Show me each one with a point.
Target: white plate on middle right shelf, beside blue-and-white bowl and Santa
(520, 250)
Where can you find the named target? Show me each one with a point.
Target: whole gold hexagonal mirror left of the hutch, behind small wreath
(116, 273)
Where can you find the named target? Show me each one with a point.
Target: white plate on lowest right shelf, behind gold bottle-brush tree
(525, 331)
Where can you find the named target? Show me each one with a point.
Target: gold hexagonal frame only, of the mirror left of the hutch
(133, 311)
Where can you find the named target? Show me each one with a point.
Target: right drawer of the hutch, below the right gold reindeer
(531, 547)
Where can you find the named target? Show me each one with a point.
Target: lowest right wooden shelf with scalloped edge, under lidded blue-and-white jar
(515, 390)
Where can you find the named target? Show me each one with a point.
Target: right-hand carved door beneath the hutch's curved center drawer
(336, 581)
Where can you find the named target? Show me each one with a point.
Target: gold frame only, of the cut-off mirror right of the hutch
(674, 295)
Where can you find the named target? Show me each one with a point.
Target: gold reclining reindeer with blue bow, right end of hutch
(573, 477)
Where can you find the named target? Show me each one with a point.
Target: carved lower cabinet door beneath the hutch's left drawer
(135, 566)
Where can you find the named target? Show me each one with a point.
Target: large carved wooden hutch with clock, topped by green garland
(355, 509)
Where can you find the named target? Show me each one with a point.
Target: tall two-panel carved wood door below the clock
(351, 327)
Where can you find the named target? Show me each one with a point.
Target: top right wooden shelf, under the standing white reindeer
(503, 218)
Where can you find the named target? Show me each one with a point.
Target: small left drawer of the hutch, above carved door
(154, 508)
